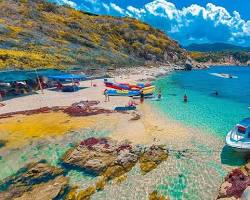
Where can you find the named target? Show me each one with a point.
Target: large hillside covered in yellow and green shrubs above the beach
(37, 34)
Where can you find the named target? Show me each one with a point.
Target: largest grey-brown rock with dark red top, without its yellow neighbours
(96, 155)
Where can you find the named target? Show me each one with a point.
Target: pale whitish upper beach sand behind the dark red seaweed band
(51, 98)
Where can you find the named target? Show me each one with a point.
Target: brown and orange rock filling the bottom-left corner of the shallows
(29, 180)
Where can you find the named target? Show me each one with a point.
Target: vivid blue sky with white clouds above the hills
(187, 21)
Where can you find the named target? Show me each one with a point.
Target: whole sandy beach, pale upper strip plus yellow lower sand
(151, 128)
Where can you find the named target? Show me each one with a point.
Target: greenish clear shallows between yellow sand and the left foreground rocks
(51, 150)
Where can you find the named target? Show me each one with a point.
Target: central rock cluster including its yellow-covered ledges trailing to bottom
(110, 159)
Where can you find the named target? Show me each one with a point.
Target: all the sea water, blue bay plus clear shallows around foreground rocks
(194, 176)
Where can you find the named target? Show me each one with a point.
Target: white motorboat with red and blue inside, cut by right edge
(239, 137)
